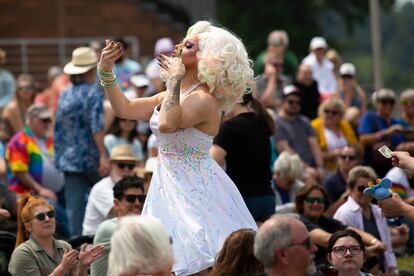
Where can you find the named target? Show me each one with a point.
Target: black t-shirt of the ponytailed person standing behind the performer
(248, 154)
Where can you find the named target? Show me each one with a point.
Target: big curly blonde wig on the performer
(223, 63)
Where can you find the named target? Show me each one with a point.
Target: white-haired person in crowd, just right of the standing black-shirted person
(287, 181)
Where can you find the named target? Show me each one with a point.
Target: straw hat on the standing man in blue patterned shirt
(83, 60)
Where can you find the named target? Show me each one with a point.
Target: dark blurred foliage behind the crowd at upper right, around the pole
(345, 24)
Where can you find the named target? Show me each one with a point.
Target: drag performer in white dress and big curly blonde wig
(189, 191)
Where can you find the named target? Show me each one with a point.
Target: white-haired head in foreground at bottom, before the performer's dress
(140, 246)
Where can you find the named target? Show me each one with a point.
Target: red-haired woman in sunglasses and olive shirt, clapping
(37, 252)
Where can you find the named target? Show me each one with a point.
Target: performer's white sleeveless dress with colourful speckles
(196, 200)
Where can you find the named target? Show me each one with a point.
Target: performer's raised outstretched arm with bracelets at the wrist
(136, 109)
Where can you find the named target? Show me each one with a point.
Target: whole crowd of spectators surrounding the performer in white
(301, 147)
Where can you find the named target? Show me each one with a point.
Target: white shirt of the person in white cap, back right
(322, 73)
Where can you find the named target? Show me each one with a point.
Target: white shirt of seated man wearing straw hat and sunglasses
(100, 202)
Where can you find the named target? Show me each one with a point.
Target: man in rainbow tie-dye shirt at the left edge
(28, 151)
